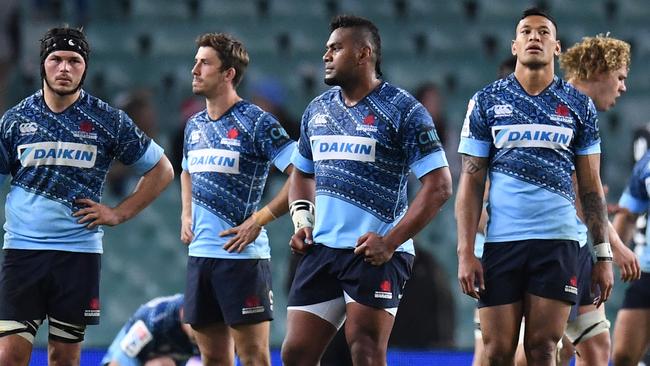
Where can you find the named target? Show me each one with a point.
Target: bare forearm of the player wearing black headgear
(148, 188)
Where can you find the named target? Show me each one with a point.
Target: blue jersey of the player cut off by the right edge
(636, 198)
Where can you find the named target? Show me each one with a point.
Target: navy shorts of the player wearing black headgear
(39, 283)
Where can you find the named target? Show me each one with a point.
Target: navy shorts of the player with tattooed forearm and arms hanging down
(545, 268)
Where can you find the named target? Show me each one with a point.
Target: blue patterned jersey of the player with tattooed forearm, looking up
(531, 143)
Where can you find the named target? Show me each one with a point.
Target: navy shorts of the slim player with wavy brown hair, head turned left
(230, 291)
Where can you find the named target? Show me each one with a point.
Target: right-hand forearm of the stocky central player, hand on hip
(436, 190)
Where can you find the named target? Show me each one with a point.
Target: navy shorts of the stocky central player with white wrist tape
(324, 273)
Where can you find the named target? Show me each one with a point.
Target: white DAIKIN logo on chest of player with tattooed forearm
(533, 135)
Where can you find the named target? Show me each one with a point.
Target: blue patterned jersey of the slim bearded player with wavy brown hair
(229, 160)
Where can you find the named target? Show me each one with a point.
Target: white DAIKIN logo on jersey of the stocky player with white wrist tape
(336, 147)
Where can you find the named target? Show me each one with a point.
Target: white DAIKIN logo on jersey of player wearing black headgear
(57, 153)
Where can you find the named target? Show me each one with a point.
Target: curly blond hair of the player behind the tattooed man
(594, 55)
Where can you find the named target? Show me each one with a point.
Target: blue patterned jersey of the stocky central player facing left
(361, 157)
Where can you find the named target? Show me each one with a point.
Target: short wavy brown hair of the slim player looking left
(231, 52)
